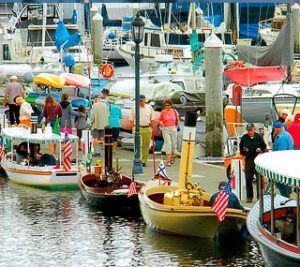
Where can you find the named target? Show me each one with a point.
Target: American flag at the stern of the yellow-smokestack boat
(221, 202)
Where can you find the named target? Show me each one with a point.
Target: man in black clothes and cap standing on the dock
(250, 146)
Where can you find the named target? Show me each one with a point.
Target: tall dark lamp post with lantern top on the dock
(137, 35)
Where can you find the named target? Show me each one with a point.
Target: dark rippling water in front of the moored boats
(41, 228)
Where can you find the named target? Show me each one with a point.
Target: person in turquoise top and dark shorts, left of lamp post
(115, 116)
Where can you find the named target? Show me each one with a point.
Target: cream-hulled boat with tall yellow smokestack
(183, 209)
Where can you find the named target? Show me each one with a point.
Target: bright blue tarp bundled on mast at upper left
(63, 39)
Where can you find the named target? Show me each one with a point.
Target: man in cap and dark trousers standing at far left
(11, 91)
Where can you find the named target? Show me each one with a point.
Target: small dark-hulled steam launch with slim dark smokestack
(109, 190)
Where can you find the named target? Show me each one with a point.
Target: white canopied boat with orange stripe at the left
(52, 176)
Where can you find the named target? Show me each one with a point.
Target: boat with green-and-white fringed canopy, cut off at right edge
(274, 221)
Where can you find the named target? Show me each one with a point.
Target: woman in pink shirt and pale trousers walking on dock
(169, 121)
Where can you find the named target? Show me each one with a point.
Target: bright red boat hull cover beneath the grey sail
(252, 76)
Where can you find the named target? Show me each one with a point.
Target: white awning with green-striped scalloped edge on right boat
(280, 166)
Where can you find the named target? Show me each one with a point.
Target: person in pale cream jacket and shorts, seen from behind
(99, 119)
